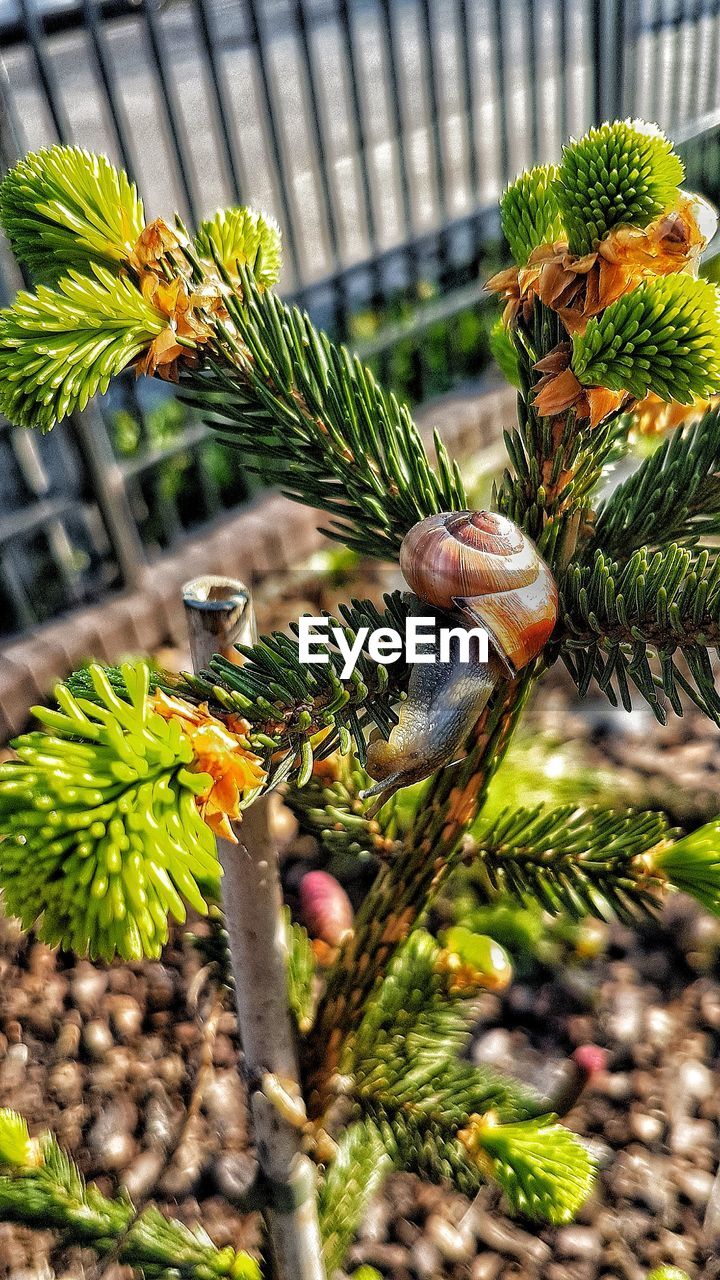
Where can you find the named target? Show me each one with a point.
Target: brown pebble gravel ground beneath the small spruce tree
(134, 1067)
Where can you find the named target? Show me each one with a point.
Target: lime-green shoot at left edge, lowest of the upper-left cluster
(58, 348)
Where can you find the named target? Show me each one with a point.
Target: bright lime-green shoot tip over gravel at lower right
(544, 1169)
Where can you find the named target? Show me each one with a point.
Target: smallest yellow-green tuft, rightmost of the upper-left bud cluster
(243, 237)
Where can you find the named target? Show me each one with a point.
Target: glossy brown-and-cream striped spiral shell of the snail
(485, 568)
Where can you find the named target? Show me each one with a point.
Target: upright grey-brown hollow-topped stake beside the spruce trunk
(221, 614)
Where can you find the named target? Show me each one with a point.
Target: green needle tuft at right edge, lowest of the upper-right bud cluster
(664, 337)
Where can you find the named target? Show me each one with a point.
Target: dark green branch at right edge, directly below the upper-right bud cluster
(672, 497)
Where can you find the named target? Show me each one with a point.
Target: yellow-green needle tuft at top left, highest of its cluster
(66, 208)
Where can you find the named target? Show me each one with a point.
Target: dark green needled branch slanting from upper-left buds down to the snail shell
(312, 419)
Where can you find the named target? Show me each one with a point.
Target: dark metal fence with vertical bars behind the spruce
(379, 132)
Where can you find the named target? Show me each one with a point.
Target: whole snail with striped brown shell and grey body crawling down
(484, 572)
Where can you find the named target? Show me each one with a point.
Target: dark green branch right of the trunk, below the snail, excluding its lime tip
(569, 860)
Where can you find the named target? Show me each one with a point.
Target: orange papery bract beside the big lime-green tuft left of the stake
(235, 770)
